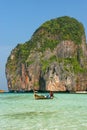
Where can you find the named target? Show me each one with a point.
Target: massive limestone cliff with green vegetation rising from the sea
(54, 59)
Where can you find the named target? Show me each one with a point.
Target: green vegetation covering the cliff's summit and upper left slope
(49, 34)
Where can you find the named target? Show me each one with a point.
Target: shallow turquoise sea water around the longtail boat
(23, 112)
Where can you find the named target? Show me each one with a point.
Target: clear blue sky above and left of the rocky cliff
(20, 18)
